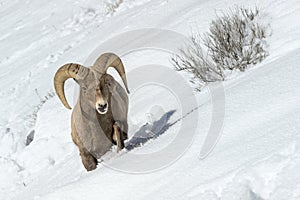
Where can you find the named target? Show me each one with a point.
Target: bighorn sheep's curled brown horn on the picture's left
(65, 72)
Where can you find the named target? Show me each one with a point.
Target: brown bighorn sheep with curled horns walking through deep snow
(99, 117)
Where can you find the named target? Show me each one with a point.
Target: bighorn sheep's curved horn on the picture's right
(107, 60)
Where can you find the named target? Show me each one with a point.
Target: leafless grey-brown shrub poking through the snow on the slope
(235, 40)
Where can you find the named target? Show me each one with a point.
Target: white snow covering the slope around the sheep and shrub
(257, 154)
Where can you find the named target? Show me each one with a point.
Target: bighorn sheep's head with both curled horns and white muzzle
(94, 92)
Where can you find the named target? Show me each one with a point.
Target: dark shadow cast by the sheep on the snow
(150, 131)
